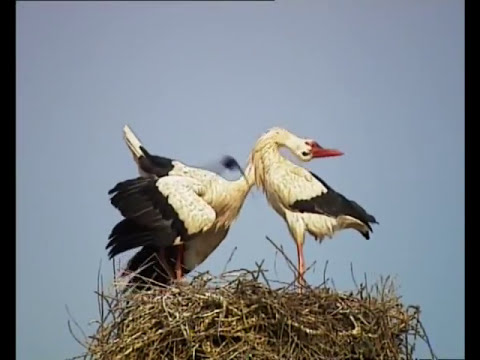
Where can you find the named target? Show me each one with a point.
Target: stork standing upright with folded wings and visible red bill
(306, 202)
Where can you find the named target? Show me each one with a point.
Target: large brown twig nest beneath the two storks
(242, 315)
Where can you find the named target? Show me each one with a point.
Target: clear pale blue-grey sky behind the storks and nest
(382, 81)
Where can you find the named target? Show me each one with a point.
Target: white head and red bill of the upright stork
(304, 149)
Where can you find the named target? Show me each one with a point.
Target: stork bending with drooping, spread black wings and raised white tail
(174, 211)
